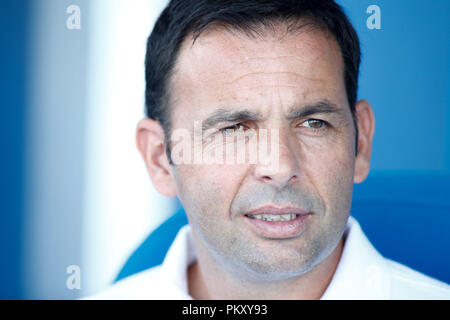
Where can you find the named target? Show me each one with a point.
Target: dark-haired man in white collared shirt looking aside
(262, 230)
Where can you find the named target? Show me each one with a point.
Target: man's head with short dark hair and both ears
(285, 65)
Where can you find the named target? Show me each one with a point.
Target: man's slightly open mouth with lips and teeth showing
(277, 223)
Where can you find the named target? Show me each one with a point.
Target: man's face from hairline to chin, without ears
(277, 79)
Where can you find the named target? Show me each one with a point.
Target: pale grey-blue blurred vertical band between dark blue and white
(54, 149)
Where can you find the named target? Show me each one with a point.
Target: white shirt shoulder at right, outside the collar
(407, 283)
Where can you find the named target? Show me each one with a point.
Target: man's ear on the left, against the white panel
(150, 142)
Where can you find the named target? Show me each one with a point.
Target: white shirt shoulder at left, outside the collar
(148, 284)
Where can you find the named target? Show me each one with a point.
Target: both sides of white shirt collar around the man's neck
(360, 274)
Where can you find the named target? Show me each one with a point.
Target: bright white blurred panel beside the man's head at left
(120, 204)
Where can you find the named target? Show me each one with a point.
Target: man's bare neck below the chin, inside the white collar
(207, 280)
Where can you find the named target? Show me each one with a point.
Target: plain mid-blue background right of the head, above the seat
(405, 76)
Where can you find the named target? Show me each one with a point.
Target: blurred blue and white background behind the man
(65, 95)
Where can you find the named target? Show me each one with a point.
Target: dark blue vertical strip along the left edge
(13, 38)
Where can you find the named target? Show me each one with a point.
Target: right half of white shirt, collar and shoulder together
(381, 278)
